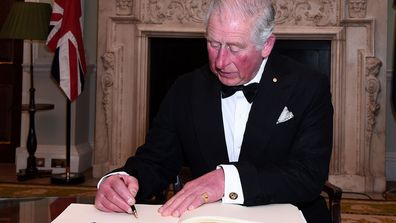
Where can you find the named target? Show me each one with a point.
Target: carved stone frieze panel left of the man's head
(181, 11)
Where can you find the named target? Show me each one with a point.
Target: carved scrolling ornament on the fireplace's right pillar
(373, 87)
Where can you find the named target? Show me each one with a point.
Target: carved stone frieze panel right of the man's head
(306, 12)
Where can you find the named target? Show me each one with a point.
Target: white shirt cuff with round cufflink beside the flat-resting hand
(233, 193)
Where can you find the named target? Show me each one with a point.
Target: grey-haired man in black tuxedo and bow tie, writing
(253, 126)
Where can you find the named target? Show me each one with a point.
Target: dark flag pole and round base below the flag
(68, 177)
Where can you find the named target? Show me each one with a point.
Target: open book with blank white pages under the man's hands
(209, 213)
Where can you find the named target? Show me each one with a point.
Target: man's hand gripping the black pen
(117, 193)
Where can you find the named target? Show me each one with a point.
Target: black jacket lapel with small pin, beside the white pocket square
(274, 90)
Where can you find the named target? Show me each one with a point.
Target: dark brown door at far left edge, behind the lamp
(11, 54)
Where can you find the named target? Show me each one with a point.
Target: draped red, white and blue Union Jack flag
(65, 38)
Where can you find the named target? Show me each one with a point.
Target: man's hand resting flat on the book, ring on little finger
(192, 194)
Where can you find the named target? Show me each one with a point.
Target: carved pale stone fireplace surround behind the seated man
(357, 74)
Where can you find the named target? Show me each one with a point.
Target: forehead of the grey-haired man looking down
(228, 27)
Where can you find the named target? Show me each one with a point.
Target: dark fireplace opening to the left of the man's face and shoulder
(170, 58)
